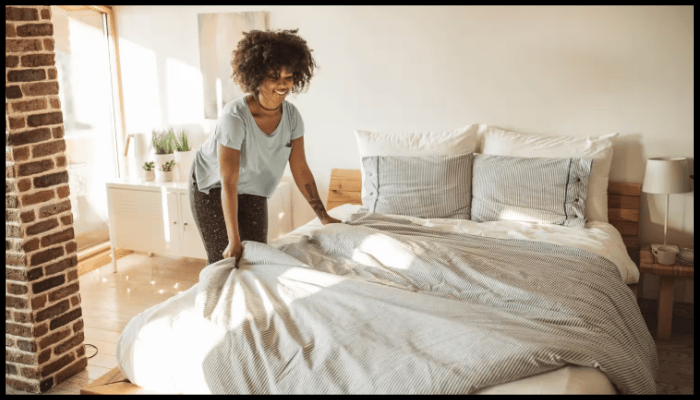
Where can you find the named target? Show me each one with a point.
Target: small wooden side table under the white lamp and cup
(668, 274)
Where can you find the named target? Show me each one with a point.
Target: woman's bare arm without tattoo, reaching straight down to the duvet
(229, 162)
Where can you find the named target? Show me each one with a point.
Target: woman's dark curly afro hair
(261, 53)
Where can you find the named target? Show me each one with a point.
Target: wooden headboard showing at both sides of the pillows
(623, 203)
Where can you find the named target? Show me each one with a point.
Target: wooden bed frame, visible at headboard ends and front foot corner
(345, 188)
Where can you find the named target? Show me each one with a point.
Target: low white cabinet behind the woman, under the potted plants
(156, 218)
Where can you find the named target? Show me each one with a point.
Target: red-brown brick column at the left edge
(43, 319)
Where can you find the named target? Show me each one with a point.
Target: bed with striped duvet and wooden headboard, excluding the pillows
(389, 303)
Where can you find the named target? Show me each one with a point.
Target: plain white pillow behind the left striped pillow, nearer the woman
(458, 141)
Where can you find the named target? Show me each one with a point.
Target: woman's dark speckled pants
(209, 216)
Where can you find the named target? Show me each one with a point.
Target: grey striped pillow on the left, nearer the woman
(425, 187)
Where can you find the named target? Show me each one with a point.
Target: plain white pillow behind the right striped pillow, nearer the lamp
(499, 142)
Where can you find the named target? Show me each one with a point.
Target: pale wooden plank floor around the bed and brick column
(110, 300)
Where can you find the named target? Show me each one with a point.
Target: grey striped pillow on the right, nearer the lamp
(550, 190)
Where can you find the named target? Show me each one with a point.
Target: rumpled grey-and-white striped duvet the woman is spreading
(380, 305)
